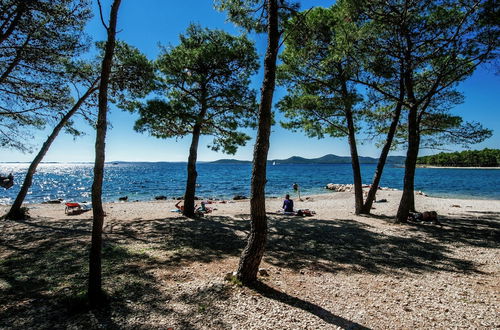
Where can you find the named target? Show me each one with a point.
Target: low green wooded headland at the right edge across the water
(468, 158)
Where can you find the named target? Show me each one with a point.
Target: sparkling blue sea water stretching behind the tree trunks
(144, 181)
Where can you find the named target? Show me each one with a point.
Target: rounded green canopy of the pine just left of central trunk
(205, 81)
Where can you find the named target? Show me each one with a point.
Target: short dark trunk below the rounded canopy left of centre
(190, 192)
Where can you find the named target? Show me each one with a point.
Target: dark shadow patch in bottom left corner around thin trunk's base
(43, 278)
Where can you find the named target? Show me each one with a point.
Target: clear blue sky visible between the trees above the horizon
(145, 24)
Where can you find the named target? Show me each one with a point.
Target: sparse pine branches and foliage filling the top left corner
(37, 39)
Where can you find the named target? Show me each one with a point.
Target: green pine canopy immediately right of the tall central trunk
(316, 71)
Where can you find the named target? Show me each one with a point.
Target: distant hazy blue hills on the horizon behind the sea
(326, 159)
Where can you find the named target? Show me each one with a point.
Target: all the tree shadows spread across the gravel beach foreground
(43, 270)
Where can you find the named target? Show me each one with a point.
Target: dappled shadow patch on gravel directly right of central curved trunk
(332, 246)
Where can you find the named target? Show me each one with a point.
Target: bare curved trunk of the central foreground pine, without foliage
(253, 252)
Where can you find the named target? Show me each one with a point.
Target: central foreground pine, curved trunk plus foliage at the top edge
(261, 16)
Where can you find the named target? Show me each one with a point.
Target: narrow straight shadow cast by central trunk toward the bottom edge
(330, 318)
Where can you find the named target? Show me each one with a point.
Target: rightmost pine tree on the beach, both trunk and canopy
(438, 44)
